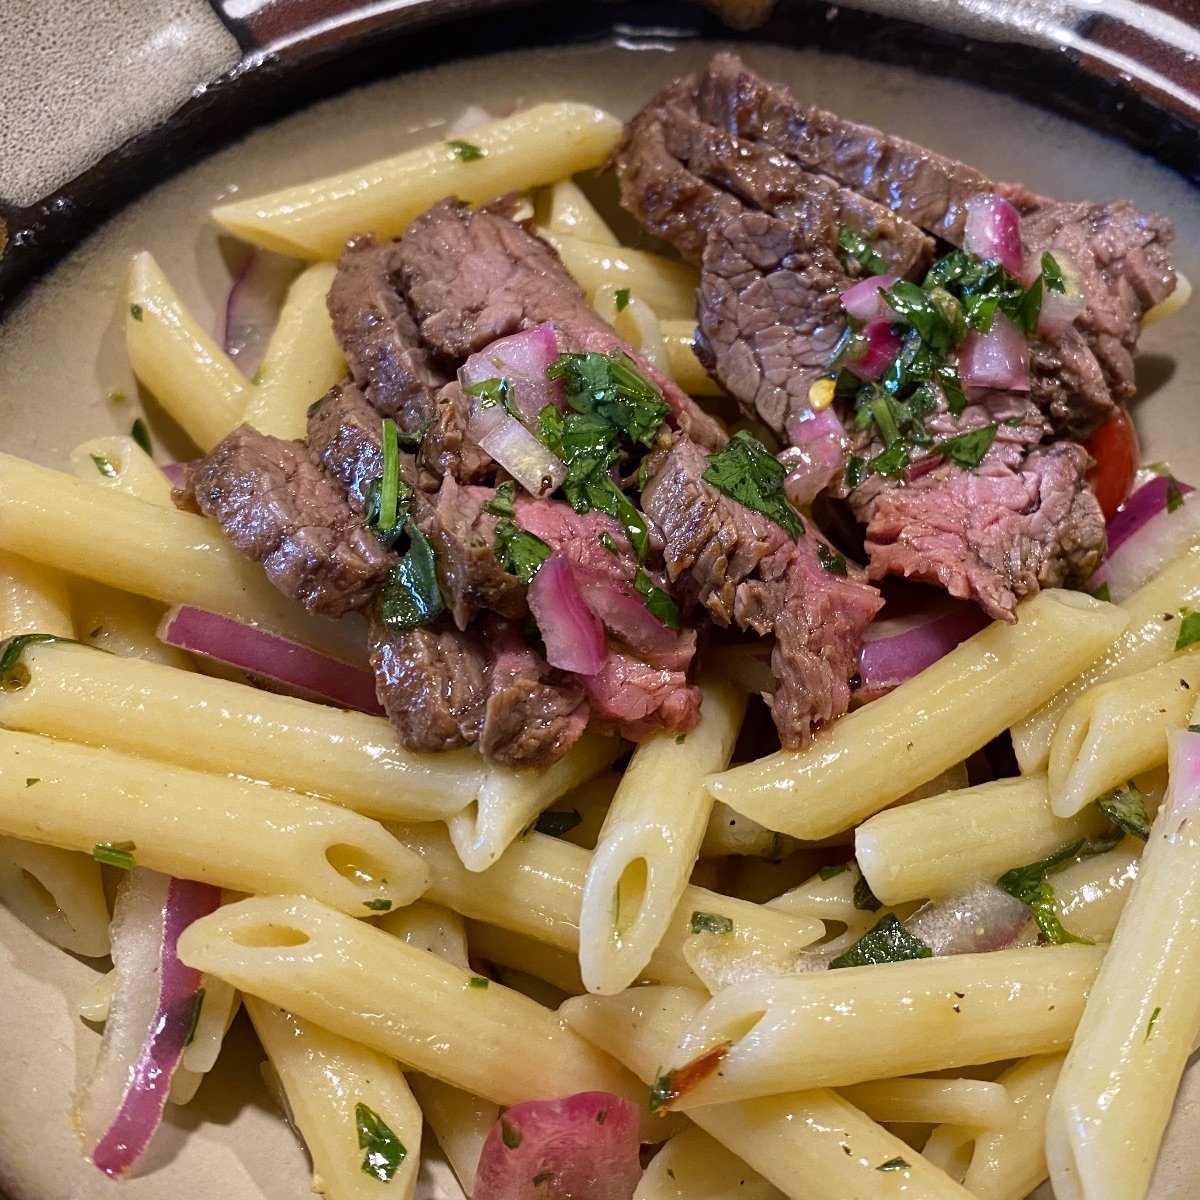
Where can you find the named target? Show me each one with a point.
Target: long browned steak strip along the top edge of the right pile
(925, 189)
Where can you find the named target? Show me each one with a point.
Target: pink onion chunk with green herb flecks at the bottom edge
(585, 1147)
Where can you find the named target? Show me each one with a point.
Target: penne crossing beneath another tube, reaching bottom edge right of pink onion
(812, 1145)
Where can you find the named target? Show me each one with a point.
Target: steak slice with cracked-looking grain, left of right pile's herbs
(770, 311)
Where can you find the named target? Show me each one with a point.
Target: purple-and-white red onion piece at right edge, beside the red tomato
(1144, 537)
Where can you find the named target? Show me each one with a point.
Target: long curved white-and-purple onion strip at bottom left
(151, 1019)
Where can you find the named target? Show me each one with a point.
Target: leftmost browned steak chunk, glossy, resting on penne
(283, 511)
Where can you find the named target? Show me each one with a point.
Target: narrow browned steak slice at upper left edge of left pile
(379, 335)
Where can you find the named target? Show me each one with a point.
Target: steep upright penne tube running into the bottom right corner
(1113, 1101)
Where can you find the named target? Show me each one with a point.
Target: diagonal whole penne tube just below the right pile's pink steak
(873, 757)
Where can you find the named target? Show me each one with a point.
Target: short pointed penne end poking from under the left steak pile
(508, 801)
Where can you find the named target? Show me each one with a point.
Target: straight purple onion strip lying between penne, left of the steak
(286, 665)
